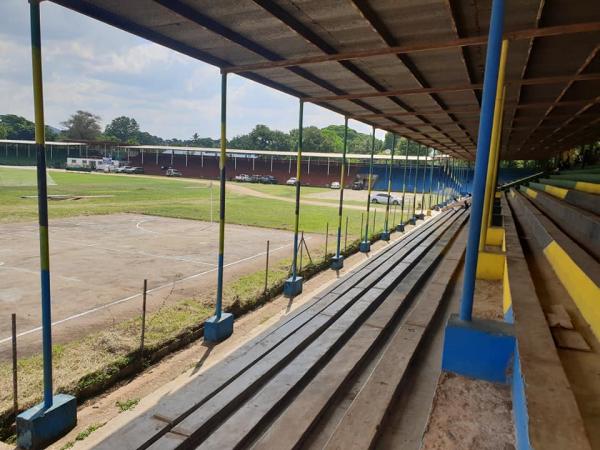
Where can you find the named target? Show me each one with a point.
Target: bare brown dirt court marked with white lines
(98, 264)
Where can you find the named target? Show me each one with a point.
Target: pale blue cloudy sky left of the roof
(94, 67)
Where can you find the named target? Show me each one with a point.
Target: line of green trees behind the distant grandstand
(85, 126)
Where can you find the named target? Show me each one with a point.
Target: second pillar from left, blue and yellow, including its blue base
(220, 326)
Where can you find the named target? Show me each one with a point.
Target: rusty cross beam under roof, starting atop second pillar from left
(414, 48)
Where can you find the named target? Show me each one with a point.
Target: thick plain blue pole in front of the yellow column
(481, 162)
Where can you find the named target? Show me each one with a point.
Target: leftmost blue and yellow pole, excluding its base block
(40, 139)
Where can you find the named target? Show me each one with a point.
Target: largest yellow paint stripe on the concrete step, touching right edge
(584, 292)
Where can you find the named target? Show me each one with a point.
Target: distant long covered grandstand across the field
(318, 169)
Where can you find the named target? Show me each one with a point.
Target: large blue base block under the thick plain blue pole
(481, 349)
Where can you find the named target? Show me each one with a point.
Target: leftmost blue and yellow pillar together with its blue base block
(42, 424)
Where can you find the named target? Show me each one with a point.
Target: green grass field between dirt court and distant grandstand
(90, 194)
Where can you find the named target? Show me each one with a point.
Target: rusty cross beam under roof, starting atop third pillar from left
(467, 87)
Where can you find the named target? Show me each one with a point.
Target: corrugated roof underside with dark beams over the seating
(430, 93)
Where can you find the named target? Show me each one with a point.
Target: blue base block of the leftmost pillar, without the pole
(37, 428)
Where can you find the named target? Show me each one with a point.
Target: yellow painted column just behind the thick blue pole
(493, 147)
